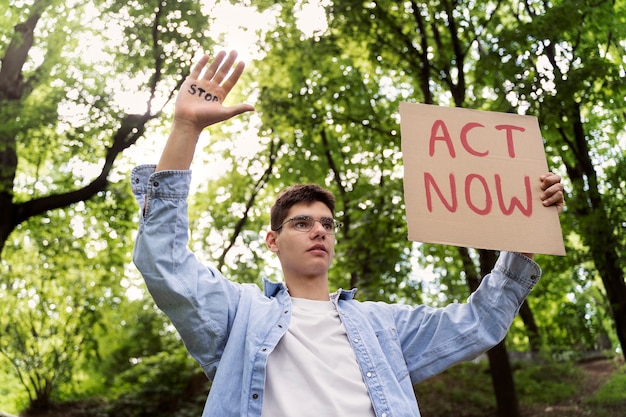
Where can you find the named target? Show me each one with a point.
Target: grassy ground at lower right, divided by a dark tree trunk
(596, 388)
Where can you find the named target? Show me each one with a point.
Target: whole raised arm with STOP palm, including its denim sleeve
(198, 299)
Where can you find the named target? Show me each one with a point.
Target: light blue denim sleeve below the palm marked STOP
(199, 301)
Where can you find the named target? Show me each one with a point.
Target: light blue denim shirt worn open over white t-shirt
(231, 329)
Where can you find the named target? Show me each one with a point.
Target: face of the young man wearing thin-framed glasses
(304, 254)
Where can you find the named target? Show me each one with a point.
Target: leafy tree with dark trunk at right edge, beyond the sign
(573, 81)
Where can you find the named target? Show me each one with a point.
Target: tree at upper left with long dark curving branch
(157, 44)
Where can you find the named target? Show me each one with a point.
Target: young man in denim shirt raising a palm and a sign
(294, 349)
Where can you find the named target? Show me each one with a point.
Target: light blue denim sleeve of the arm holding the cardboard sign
(434, 339)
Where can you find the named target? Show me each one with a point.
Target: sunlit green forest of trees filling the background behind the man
(86, 91)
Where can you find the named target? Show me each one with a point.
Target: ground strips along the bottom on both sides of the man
(595, 388)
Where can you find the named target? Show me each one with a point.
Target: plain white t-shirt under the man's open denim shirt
(313, 370)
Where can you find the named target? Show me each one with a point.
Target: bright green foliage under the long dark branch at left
(49, 307)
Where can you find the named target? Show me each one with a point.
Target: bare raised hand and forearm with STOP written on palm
(198, 105)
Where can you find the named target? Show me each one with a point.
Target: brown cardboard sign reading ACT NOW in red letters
(471, 178)
